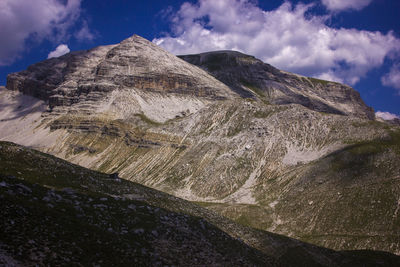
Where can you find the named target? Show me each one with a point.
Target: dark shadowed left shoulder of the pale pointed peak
(58, 80)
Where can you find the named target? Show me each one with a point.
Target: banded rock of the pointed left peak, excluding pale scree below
(135, 63)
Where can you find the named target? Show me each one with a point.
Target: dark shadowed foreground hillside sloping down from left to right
(57, 213)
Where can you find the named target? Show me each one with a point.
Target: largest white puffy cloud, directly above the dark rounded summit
(288, 37)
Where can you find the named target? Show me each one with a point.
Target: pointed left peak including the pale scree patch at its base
(91, 80)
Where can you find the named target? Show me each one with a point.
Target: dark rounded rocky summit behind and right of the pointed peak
(251, 77)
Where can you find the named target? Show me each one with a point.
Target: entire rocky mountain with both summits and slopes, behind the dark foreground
(269, 149)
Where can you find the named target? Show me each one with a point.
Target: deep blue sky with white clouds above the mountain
(356, 42)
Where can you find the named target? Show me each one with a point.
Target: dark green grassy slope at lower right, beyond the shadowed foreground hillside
(348, 199)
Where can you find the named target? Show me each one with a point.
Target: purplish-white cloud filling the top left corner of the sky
(39, 19)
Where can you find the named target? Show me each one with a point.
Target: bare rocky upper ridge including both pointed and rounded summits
(139, 65)
